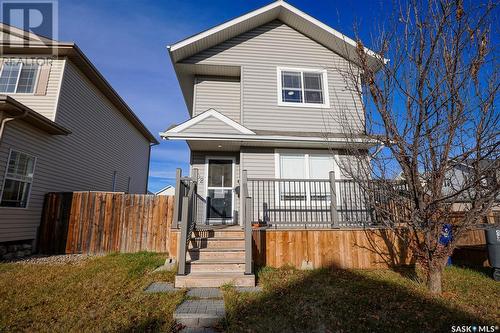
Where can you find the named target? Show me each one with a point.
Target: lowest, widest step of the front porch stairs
(213, 280)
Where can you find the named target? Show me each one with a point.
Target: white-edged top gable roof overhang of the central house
(278, 10)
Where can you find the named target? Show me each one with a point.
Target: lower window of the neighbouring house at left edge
(18, 180)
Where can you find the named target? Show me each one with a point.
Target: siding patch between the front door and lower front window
(259, 162)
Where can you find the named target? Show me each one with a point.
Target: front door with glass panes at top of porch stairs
(220, 196)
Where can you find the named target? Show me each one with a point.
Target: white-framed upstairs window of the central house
(302, 87)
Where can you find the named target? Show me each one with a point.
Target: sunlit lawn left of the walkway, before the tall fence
(101, 294)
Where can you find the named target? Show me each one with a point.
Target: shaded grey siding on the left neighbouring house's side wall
(102, 141)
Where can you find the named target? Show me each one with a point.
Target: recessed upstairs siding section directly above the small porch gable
(219, 93)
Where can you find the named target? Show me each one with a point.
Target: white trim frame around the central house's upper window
(303, 104)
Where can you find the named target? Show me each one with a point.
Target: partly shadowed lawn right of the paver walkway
(333, 300)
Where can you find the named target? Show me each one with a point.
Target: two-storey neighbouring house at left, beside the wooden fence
(63, 128)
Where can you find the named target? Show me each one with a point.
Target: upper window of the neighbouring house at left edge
(17, 77)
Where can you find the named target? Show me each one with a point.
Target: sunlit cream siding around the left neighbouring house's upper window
(46, 104)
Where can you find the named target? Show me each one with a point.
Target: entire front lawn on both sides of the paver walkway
(105, 294)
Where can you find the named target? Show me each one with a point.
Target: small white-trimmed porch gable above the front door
(232, 126)
